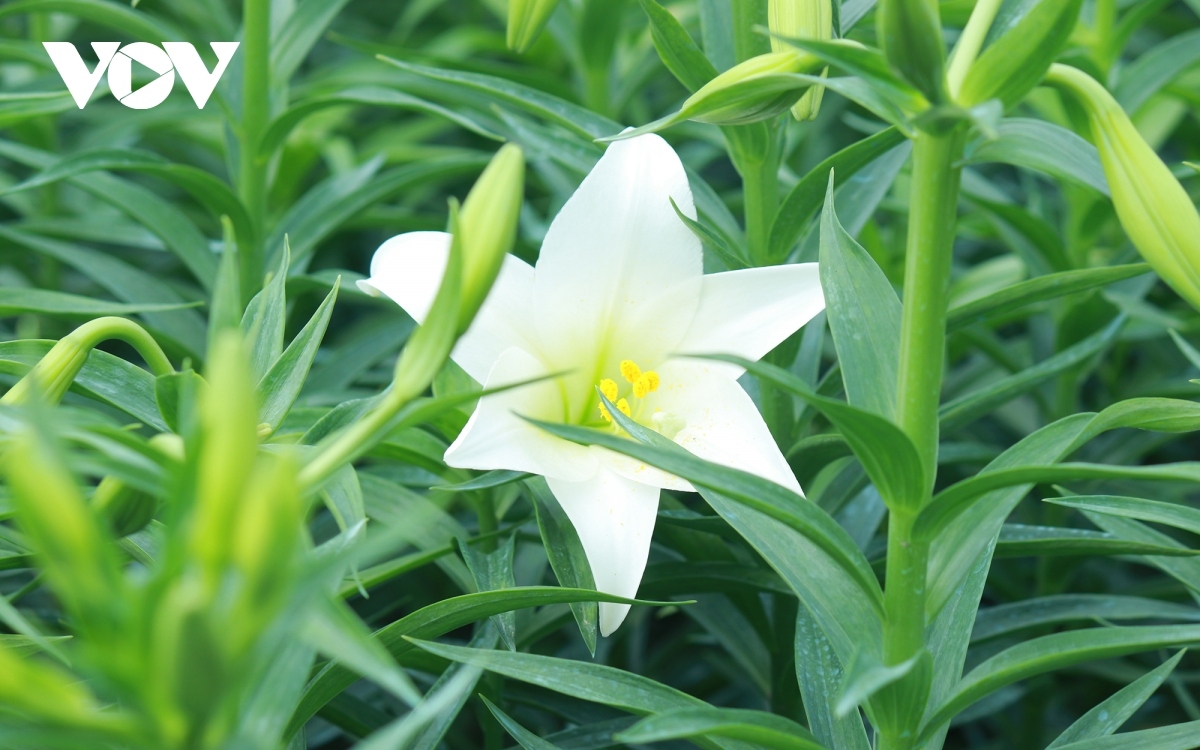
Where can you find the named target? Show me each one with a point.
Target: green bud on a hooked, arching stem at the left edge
(52, 377)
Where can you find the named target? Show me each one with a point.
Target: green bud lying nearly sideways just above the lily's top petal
(754, 91)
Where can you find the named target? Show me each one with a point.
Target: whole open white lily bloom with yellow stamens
(617, 297)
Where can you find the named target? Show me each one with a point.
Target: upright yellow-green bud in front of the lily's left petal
(488, 227)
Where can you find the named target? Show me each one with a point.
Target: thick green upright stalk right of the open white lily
(932, 221)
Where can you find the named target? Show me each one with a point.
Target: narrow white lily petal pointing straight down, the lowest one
(615, 520)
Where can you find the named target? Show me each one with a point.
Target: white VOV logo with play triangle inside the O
(118, 62)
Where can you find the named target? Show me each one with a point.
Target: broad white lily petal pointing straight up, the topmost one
(620, 275)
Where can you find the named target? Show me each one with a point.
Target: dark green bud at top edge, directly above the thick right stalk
(910, 33)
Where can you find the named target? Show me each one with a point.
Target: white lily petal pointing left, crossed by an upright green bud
(409, 269)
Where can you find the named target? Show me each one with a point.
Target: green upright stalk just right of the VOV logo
(256, 86)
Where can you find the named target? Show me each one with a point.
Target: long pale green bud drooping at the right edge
(1154, 208)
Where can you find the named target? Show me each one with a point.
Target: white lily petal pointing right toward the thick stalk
(751, 313)
